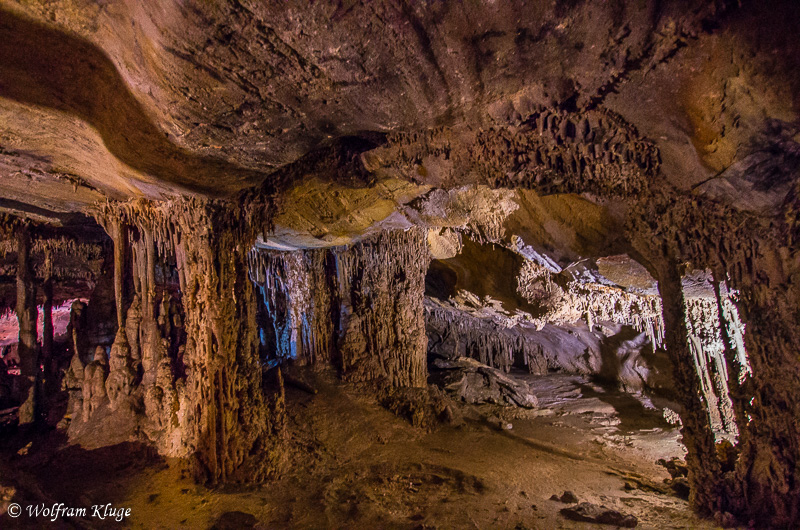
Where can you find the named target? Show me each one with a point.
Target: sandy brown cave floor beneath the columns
(356, 465)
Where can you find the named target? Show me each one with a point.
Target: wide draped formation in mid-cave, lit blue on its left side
(357, 307)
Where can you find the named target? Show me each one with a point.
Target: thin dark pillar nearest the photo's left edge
(27, 316)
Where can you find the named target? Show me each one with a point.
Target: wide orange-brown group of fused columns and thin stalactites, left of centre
(196, 355)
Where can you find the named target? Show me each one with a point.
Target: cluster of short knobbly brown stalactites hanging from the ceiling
(549, 150)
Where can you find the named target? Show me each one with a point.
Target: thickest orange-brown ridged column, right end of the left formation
(234, 431)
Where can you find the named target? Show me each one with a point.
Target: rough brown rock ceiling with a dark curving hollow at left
(130, 99)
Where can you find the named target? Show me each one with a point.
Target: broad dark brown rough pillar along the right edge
(768, 469)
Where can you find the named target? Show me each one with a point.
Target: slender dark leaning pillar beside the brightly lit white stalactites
(698, 437)
